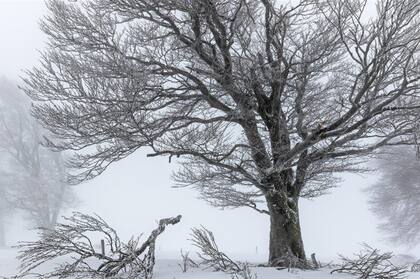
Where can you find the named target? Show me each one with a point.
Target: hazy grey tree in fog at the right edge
(395, 197)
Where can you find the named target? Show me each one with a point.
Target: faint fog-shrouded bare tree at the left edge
(32, 177)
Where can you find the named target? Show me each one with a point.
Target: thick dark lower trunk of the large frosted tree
(286, 245)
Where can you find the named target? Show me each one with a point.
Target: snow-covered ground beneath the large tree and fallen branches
(169, 269)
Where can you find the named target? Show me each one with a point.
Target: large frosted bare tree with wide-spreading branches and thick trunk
(262, 102)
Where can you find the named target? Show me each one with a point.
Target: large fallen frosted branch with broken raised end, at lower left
(74, 239)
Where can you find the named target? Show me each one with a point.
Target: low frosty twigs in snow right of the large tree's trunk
(371, 263)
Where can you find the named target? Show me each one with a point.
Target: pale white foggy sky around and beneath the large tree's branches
(134, 193)
